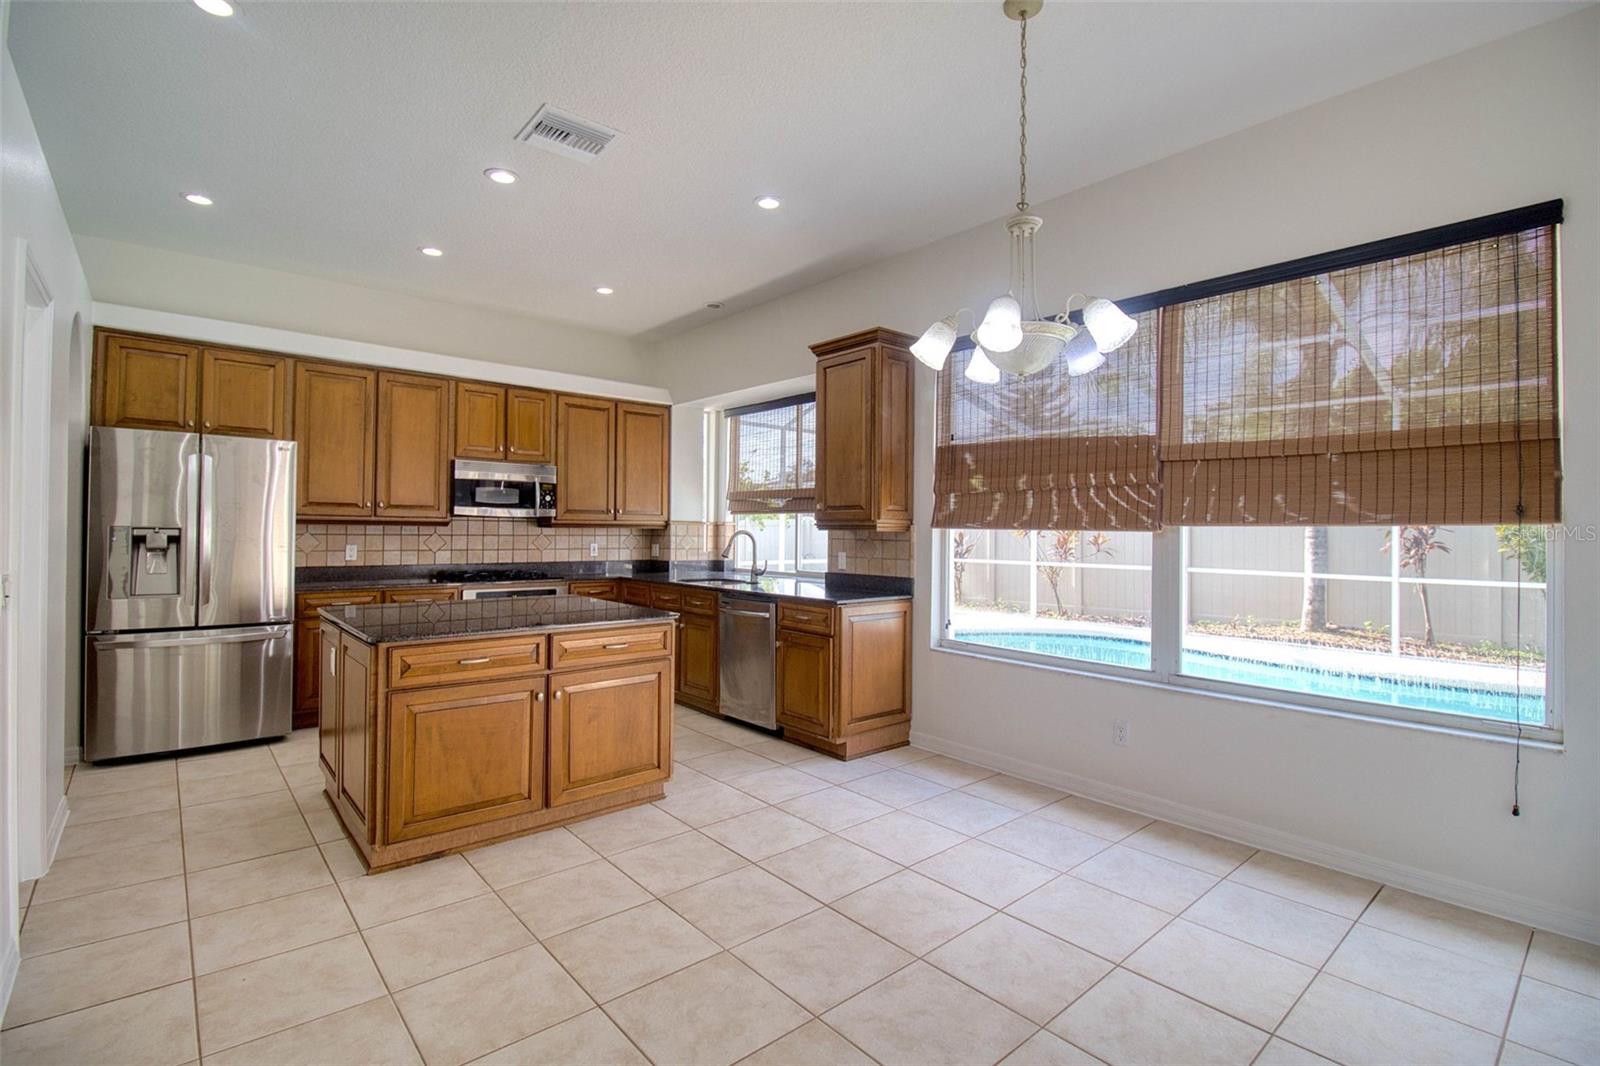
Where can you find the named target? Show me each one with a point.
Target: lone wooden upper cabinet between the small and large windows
(865, 431)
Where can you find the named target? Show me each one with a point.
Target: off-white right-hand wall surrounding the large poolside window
(1500, 127)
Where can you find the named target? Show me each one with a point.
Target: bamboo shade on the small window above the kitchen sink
(772, 457)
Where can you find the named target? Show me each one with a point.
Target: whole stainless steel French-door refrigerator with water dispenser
(190, 585)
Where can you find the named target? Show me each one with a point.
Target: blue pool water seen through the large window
(1401, 692)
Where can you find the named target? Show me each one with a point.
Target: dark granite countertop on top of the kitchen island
(402, 623)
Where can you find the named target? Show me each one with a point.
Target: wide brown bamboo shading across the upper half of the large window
(1406, 382)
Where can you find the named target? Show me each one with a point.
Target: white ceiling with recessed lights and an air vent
(337, 138)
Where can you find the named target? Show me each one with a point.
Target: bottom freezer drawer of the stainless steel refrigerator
(170, 691)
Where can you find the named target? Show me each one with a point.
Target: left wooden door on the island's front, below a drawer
(465, 755)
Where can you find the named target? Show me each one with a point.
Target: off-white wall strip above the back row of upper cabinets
(137, 276)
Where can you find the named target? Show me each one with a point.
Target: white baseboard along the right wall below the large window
(1466, 894)
